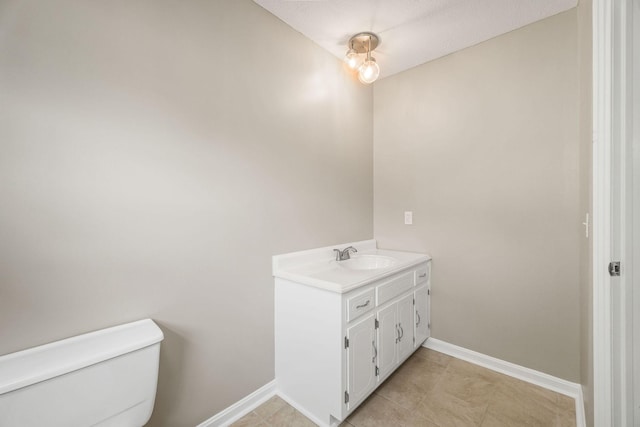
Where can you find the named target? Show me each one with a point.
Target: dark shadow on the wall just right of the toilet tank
(171, 375)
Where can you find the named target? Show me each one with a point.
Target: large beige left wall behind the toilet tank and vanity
(155, 155)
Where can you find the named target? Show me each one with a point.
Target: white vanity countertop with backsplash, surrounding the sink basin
(318, 267)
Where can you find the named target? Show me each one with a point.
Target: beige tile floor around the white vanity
(432, 389)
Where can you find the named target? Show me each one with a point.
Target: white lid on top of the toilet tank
(41, 363)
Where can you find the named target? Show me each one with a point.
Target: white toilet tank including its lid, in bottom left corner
(106, 378)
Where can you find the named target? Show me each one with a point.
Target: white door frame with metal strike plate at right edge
(615, 204)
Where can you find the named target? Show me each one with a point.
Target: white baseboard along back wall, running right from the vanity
(525, 374)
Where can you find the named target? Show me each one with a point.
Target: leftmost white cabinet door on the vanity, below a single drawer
(361, 375)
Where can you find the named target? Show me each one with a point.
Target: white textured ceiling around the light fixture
(412, 32)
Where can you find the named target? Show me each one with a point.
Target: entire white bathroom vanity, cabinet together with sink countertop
(342, 327)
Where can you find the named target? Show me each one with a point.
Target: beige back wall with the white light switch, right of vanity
(484, 147)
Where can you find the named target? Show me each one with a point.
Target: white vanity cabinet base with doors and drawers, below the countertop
(333, 349)
